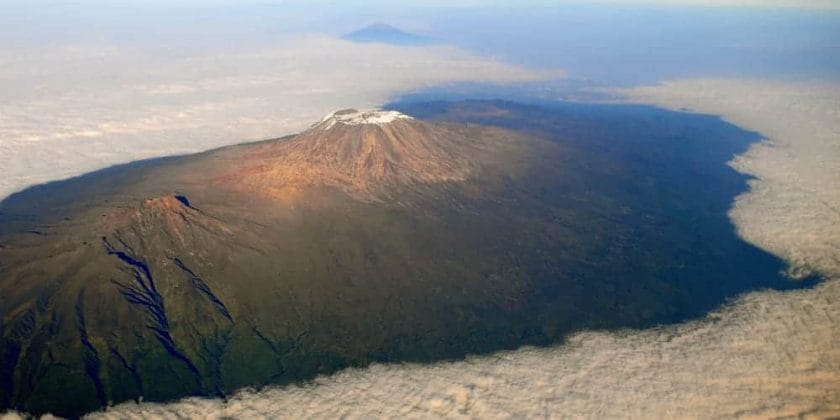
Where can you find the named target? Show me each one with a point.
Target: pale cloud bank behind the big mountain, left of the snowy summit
(68, 110)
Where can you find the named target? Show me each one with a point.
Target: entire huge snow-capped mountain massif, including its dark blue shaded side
(372, 236)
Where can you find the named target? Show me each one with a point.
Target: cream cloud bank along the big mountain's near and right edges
(767, 354)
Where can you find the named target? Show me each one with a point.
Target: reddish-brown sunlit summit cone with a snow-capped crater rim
(370, 154)
